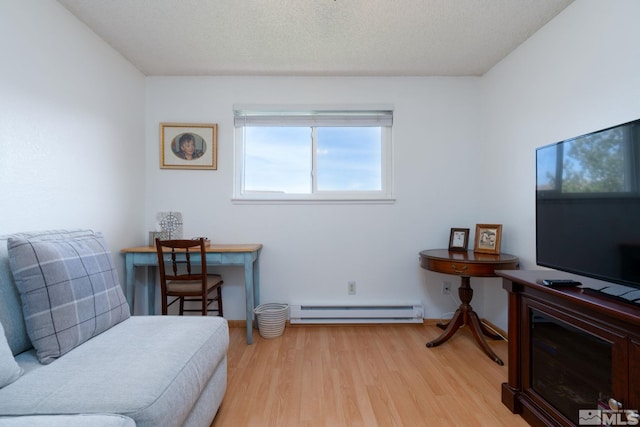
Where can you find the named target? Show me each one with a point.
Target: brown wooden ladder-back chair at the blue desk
(179, 278)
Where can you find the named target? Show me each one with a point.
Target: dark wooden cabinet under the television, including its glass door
(603, 321)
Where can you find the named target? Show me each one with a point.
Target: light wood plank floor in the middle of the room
(368, 376)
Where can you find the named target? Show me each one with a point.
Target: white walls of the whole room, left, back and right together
(75, 123)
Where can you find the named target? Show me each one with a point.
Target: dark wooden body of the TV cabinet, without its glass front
(605, 318)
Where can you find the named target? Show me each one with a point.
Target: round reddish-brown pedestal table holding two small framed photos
(466, 265)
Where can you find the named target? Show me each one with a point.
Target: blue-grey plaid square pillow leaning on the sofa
(69, 289)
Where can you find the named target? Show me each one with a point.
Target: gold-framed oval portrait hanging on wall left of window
(188, 146)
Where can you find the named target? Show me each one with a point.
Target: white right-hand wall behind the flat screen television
(578, 74)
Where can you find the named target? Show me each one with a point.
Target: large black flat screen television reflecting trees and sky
(588, 205)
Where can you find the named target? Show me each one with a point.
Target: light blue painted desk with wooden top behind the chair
(244, 255)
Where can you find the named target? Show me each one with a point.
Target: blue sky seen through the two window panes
(279, 159)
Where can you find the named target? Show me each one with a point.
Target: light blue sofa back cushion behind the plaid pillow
(10, 305)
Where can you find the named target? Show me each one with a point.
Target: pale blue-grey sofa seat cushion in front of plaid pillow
(150, 368)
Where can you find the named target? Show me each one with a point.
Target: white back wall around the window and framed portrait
(312, 251)
